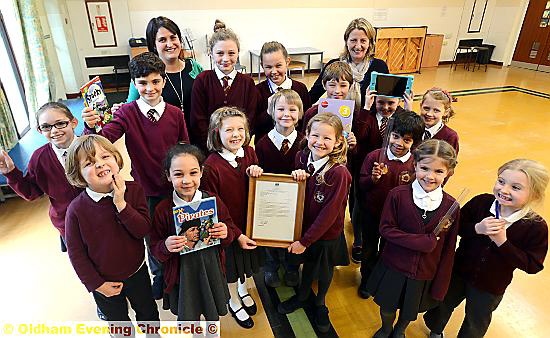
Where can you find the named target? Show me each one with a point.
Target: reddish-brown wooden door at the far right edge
(532, 48)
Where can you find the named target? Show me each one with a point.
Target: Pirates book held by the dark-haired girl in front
(193, 221)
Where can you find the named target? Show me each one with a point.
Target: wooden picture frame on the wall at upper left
(100, 20)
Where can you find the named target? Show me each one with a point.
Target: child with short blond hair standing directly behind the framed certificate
(276, 154)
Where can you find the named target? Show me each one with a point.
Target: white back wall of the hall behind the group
(320, 27)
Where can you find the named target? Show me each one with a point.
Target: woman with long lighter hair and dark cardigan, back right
(359, 43)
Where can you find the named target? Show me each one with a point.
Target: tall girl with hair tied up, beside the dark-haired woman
(222, 86)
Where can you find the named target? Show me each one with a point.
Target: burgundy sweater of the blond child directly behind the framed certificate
(272, 160)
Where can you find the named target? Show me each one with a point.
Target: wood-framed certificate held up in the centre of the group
(275, 210)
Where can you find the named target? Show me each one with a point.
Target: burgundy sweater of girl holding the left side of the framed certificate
(230, 184)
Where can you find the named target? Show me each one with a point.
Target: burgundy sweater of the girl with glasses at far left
(45, 175)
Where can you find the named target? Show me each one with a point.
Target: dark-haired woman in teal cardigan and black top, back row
(164, 39)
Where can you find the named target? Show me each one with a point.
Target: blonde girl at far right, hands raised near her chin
(499, 233)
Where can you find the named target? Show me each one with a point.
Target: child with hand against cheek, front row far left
(106, 225)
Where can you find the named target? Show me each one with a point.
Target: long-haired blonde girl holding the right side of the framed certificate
(322, 245)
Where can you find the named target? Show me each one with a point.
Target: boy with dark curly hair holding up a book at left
(151, 127)
